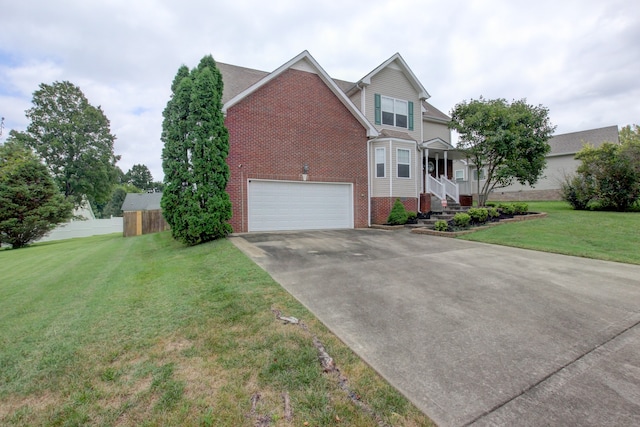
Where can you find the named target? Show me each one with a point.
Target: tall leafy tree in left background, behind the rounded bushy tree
(74, 140)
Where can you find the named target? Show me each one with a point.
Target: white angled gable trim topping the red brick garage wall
(304, 62)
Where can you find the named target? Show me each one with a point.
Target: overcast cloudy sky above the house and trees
(579, 58)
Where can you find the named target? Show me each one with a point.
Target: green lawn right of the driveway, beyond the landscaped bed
(612, 236)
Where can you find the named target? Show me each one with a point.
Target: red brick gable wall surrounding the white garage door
(291, 121)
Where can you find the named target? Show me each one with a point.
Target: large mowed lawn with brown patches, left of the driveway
(144, 331)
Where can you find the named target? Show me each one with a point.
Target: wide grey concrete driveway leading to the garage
(473, 334)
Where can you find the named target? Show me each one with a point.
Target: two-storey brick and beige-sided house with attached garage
(311, 152)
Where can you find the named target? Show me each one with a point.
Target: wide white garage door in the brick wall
(291, 205)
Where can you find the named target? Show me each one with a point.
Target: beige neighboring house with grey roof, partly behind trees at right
(561, 163)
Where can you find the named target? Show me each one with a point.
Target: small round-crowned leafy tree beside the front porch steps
(508, 139)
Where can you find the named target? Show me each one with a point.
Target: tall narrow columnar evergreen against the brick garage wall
(196, 144)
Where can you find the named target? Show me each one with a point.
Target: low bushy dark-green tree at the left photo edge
(30, 203)
